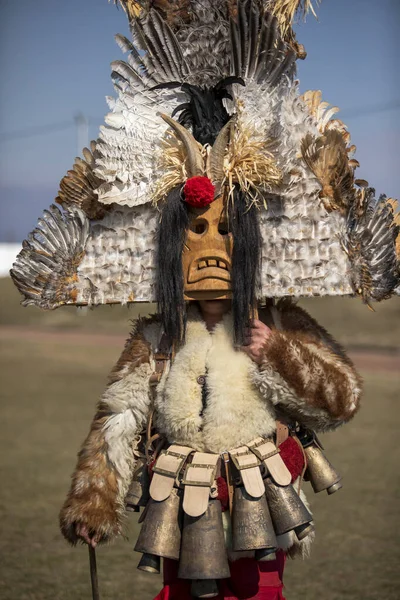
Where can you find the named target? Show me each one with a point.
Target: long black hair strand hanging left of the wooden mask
(171, 237)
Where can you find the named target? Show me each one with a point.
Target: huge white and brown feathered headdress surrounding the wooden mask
(207, 89)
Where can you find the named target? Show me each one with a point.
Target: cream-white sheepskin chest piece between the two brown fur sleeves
(235, 413)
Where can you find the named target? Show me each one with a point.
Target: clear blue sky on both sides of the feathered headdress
(54, 61)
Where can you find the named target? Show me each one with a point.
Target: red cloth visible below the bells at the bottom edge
(249, 580)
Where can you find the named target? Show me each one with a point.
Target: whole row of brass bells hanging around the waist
(198, 542)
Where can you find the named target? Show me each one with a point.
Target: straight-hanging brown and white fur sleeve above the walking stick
(105, 462)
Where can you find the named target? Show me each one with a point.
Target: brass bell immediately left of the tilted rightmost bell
(287, 510)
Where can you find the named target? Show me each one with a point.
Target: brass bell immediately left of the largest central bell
(161, 529)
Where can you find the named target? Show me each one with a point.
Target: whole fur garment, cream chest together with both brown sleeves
(304, 375)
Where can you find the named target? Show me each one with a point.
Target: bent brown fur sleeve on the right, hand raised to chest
(307, 373)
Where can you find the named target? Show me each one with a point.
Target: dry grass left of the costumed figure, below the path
(48, 396)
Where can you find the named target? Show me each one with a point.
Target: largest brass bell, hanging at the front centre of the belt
(203, 552)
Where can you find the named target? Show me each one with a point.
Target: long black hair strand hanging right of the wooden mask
(246, 256)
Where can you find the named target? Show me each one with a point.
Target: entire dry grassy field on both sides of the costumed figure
(48, 392)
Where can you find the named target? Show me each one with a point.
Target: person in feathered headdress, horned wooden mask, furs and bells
(218, 191)
